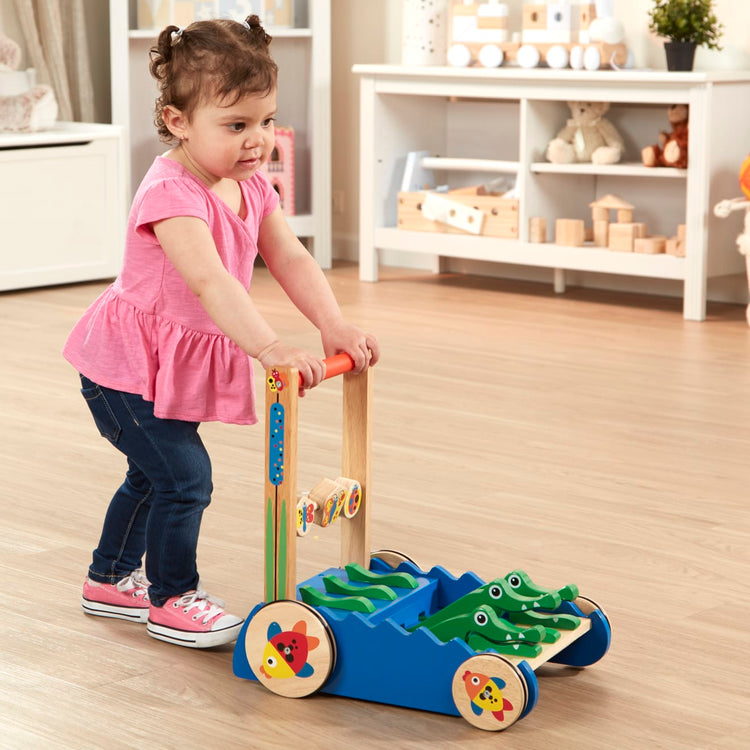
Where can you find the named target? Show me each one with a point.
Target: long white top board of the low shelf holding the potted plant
(547, 75)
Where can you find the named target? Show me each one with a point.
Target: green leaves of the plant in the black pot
(686, 21)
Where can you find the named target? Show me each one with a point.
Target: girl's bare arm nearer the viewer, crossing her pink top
(188, 244)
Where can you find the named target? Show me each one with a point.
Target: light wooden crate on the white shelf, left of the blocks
(500, 214)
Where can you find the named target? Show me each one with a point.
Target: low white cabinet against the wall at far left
(62, 205)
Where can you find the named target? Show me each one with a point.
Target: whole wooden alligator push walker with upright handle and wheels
(378, 628)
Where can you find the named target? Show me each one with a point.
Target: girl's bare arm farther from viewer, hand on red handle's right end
(306, 285)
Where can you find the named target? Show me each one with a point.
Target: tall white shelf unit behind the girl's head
(303, 54)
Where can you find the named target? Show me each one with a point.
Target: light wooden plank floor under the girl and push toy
(591, 438)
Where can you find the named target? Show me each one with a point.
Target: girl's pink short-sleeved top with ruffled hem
(147, 333)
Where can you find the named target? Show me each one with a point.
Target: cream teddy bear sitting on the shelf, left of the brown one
(587, 137)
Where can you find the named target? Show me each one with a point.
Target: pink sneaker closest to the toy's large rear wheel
(195, 620)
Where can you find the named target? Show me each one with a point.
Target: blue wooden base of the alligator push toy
(378, 660)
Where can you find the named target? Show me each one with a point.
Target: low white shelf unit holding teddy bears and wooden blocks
(506, 117)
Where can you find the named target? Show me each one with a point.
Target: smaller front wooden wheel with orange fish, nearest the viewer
(489, 692)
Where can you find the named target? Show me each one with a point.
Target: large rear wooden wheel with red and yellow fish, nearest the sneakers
(290, 648)
